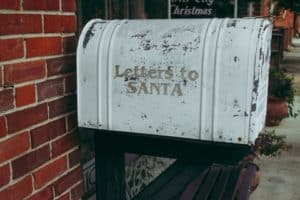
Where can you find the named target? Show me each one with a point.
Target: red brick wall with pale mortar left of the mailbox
(39, 140)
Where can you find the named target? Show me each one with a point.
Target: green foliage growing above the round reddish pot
(281, 87)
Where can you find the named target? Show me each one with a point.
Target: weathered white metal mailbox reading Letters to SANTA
(202, 79)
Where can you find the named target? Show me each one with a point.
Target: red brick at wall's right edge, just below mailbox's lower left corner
(65, 143)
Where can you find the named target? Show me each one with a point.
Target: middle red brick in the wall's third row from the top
(43, 46)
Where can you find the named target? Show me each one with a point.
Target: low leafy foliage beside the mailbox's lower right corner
(270, 144)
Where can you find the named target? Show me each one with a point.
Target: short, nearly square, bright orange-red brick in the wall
(25, 95)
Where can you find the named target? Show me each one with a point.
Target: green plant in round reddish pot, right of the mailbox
(280, 97)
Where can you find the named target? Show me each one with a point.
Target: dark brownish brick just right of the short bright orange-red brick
(50, 88)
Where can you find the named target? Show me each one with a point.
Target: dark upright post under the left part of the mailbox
(110, 170)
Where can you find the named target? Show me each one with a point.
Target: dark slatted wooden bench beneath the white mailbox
(188, 181)
